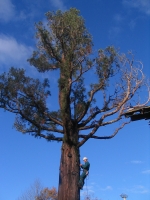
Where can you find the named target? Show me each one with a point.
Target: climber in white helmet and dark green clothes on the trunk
(85, 172)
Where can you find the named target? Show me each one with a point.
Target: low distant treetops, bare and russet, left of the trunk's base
(37, 192)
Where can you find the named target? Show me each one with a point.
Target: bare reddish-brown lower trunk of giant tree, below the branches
(69, 173)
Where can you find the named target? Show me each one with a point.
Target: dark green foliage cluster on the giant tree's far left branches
(24, 96)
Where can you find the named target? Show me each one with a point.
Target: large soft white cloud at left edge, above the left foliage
(12, 52)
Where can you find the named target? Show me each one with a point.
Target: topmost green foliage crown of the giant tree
(64, 37)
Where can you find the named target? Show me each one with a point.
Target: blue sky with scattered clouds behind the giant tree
(120, 165)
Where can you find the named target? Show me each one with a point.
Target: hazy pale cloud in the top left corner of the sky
(7, 10)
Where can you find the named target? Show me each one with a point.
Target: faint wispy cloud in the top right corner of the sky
(142, 5)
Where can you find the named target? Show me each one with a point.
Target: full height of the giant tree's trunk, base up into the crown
(69, 164)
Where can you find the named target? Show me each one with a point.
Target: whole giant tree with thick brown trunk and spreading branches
(64, 44)
